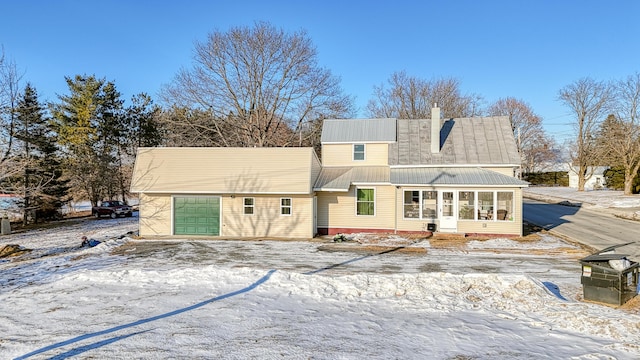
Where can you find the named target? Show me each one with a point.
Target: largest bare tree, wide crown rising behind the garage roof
(259, 84)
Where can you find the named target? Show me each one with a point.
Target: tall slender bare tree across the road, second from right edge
(589, 100)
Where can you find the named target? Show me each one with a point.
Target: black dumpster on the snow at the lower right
(607, 278)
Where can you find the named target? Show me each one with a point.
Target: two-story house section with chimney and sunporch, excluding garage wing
(400, 175)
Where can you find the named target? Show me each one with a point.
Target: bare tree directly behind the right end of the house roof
(535, 147)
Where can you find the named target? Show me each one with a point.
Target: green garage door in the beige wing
(198, 215)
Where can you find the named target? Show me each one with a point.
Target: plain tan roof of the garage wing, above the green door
(225, 170)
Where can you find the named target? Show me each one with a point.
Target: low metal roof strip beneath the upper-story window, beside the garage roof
(341, 178)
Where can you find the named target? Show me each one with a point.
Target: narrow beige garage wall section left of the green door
(155, 214)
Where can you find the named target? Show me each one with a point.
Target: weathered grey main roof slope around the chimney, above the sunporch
(463, 141)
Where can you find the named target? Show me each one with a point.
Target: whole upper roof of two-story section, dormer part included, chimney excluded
(482, 141)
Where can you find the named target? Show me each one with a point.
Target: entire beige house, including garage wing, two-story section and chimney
(376, 175)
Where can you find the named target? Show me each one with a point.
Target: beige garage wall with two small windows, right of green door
(266, 221)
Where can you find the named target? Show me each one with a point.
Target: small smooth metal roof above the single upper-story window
(358, 130)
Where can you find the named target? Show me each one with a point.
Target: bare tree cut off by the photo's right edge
(620, 133)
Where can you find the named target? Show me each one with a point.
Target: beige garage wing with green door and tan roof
(226, 192)
